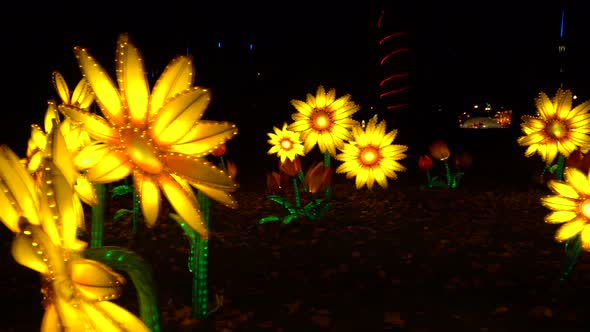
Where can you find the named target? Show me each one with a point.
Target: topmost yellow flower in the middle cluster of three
(324, 120)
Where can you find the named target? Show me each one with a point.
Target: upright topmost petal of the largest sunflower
(132, 79)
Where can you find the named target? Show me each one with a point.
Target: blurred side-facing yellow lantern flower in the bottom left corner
(75, 290)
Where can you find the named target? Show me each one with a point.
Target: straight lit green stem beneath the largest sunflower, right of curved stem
(200, 255)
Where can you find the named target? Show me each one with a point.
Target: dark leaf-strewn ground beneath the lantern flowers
(475, 258)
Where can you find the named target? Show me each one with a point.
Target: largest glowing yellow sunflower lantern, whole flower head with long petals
(158, 137)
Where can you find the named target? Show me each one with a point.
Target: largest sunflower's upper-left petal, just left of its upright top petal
(106, 92)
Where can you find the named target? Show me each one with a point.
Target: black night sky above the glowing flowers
(458, 52)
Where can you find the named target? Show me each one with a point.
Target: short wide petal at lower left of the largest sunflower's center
(113, 167)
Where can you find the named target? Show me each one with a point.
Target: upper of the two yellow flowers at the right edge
(558, 128)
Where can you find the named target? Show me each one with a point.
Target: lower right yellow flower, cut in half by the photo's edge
(570, 205)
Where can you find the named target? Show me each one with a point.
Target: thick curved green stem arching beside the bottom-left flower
(122, 259)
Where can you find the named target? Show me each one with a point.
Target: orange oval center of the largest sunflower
(141, 151)
